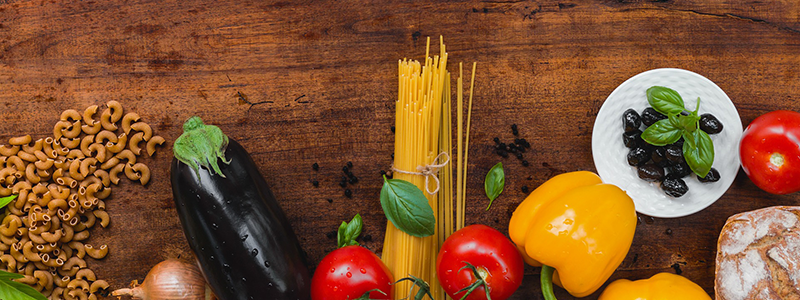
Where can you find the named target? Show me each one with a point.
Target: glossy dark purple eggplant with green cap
(243, 241)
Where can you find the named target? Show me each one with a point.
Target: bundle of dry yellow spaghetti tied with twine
(423, 137)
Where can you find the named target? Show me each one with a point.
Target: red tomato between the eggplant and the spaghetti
(350, 272)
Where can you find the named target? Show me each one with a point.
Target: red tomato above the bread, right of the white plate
(770, 152)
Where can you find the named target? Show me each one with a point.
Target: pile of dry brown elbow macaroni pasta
(61, 183)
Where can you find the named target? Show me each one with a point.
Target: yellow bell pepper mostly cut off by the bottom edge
(662, 286)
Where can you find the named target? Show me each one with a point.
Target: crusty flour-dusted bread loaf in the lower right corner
(758, 255)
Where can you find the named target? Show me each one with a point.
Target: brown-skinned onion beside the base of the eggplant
(171, 280)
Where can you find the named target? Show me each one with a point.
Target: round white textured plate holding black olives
(610, 154)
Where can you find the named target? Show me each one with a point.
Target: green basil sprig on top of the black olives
(698, 149)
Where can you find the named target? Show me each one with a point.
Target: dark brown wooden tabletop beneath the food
(303, 82)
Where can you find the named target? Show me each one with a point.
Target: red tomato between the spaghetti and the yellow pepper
(492, 254)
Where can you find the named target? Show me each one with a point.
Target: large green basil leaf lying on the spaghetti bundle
(407, 208)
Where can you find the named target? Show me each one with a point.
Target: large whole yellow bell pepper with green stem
(578, 225)
